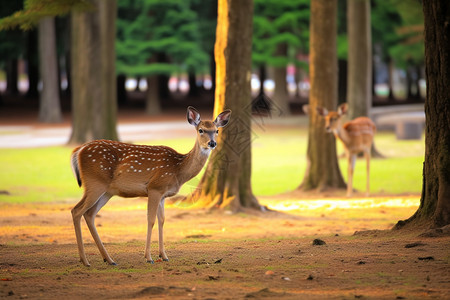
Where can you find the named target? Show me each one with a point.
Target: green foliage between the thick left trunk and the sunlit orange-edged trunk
(148, 30)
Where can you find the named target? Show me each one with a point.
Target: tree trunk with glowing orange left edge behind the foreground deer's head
(226, 183)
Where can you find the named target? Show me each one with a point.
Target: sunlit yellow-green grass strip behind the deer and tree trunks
(279, 162)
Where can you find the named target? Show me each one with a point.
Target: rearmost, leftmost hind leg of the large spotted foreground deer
(88, 200)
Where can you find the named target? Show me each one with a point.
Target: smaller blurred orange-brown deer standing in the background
(356, 136)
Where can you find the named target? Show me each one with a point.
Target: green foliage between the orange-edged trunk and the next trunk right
(280, 23)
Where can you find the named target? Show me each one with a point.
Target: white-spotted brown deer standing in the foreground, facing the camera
(108, 168)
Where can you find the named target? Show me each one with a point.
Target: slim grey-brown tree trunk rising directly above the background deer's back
(359, 82)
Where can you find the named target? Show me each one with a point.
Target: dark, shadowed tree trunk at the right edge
(434, 206)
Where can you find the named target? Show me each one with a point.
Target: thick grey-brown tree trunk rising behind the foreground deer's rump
(94, 95)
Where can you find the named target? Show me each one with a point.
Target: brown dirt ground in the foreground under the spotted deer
(217, 255)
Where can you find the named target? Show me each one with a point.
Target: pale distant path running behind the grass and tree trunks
(133, 126)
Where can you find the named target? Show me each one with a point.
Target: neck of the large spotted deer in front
(193, 162)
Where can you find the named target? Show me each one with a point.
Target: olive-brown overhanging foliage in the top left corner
(35, 10)
